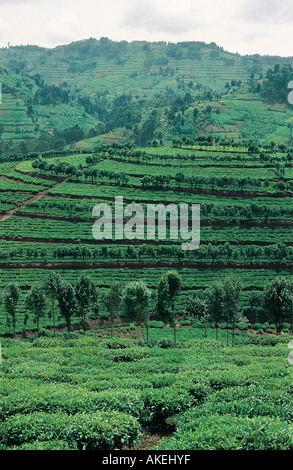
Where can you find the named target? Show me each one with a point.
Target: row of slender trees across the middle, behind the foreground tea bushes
(137, 302)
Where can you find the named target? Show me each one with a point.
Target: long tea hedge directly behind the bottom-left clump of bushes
(150, 406)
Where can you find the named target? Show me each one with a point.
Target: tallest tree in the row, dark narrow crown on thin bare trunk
(168, 289)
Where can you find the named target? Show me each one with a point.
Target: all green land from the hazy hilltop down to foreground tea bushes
(115, 343)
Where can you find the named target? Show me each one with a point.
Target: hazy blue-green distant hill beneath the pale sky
(139, 91)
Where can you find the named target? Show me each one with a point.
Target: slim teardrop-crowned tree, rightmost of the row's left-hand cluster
(86, 293)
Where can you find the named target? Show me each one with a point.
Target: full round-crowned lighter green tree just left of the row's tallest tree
(136, 303)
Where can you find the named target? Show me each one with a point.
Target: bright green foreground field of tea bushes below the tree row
(93, 393)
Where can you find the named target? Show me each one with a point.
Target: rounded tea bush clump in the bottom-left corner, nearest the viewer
(100, 430)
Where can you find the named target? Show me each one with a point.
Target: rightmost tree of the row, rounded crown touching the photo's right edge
(278, 301)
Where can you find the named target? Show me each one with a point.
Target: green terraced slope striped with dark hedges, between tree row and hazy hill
(246, 219)
